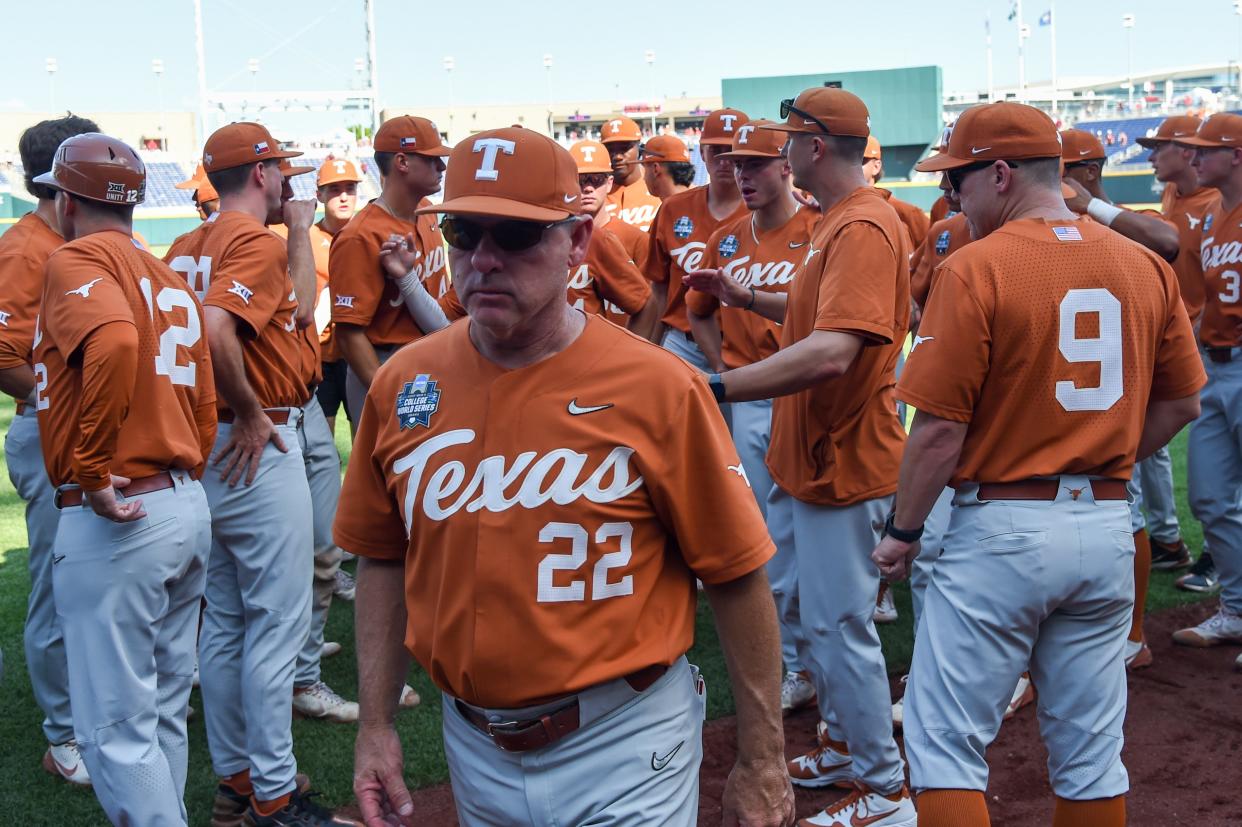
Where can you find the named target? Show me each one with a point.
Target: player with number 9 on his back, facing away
(1051, 327)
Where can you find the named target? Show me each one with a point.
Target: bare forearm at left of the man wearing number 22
(381, 619)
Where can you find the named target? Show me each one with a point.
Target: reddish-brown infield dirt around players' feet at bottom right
(1183, 748)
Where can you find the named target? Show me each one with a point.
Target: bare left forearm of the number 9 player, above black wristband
(931, 456)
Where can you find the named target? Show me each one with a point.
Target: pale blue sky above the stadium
(105, 50)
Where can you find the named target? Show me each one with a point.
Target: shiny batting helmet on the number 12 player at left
(99, 168)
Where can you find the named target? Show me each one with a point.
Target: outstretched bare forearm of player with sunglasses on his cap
(817, 359)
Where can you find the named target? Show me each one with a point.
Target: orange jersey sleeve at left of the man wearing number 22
(369, 520)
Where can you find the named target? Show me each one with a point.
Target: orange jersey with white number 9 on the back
(1059, 332)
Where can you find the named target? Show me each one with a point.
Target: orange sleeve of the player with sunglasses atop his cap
(858, 294)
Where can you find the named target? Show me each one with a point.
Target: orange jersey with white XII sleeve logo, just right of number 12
(234, 263)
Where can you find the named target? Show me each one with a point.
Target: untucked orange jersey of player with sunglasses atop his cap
(840, 443)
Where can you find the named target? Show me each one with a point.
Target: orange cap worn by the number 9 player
(997, 132)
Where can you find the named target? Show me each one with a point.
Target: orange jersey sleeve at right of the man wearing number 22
(720, 532)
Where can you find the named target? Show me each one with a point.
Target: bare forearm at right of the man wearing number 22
(746, 620)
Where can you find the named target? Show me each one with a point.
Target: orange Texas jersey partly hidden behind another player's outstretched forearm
(766, 261)
